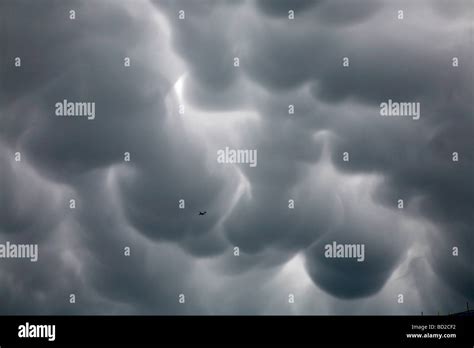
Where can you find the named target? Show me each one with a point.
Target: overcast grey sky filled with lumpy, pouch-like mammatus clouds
(190, 62)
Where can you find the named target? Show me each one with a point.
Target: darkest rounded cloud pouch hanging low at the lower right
(384, 243)
